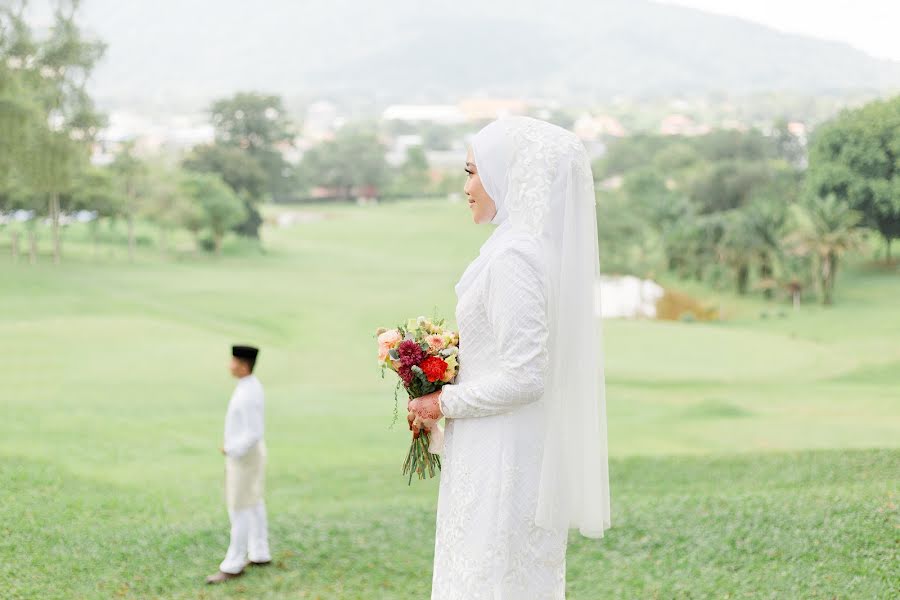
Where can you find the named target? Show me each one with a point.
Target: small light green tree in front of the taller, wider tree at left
(220, 206)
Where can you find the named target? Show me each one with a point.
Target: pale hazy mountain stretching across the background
(410, 50)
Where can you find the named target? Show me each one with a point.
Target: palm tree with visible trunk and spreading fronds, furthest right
(827, 229)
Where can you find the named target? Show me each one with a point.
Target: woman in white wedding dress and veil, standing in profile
(524, 449)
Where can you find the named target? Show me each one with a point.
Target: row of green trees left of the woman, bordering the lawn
(49, 127)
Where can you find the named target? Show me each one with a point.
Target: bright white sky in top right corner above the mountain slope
(870, 25)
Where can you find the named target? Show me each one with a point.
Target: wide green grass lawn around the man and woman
(753, 458)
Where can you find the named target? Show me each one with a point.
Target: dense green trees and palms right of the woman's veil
(751, 210)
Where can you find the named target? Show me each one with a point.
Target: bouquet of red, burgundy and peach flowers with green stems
(425, 356)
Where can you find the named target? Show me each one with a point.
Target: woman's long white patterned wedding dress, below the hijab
(487, 544)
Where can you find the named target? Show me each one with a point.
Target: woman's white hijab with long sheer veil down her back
(539, 176)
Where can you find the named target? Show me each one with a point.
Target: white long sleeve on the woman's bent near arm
(517, 313)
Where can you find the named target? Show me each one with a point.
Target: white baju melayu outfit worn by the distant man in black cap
(245, 463)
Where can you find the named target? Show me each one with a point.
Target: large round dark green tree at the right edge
(856, 157)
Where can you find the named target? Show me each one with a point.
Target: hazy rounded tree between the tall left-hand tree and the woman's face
(353, 160)
